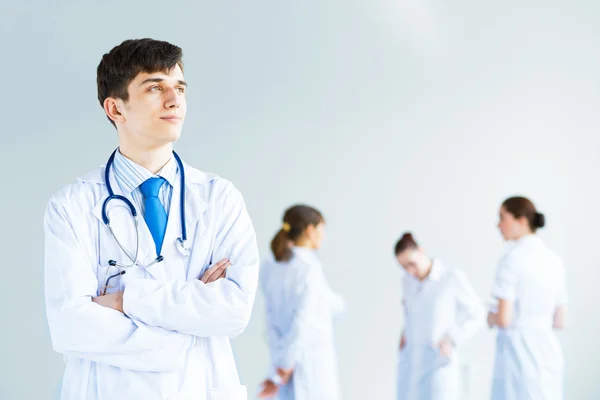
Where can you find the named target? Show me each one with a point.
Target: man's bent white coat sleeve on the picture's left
(81, 328)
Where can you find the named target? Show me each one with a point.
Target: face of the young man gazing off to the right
(154, 114)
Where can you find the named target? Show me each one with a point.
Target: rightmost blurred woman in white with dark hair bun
(530, 294)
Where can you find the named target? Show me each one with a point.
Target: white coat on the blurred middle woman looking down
(444, 304)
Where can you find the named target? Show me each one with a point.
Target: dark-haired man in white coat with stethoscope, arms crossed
(138, 311)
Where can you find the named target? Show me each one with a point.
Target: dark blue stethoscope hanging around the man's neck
(181, 243)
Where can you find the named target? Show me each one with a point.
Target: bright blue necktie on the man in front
(154, 212)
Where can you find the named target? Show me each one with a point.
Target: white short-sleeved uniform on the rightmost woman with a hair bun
(529, 362)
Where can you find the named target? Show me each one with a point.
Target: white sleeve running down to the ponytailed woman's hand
(303, 329)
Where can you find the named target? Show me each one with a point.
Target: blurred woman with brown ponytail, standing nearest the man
(300, 309)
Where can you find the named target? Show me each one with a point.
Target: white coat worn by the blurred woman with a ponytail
(300, 309)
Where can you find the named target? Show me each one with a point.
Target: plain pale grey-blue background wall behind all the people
(387, 115)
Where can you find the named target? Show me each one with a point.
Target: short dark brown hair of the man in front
(123, 63)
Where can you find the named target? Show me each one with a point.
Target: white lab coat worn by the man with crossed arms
(173, 340)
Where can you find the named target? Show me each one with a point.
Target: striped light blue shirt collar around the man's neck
(132, 175)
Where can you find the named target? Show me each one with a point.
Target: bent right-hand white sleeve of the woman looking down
(470, 316)
